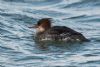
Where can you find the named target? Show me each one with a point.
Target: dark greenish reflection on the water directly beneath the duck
(59, 46)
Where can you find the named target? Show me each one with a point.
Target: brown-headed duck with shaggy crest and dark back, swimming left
(47, 32)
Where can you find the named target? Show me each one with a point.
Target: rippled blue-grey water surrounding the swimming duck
(18, 49)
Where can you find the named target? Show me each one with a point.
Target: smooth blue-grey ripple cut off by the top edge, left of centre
(36, 2)
